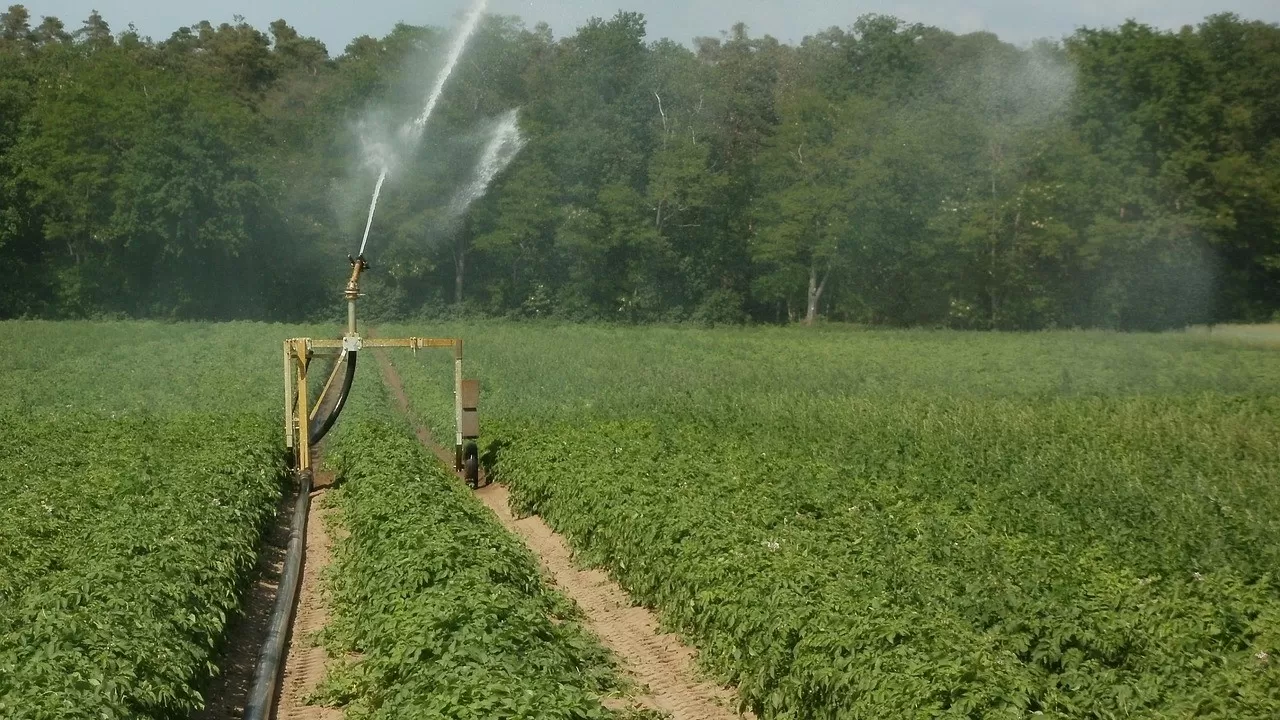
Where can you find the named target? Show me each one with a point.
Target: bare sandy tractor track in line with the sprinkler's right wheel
(661, 664)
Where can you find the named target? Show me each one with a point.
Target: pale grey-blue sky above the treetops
(790, 21)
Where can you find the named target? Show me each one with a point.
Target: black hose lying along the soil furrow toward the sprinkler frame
(271, 663)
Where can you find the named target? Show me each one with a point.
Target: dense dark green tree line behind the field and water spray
(886, 174)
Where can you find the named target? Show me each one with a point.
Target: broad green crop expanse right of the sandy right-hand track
(913, 525)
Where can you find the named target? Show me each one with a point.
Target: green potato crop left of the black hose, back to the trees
(140, 464)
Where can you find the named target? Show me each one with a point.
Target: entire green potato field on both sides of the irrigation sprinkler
(844, 523)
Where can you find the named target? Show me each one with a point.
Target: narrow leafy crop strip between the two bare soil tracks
(442, 612)
